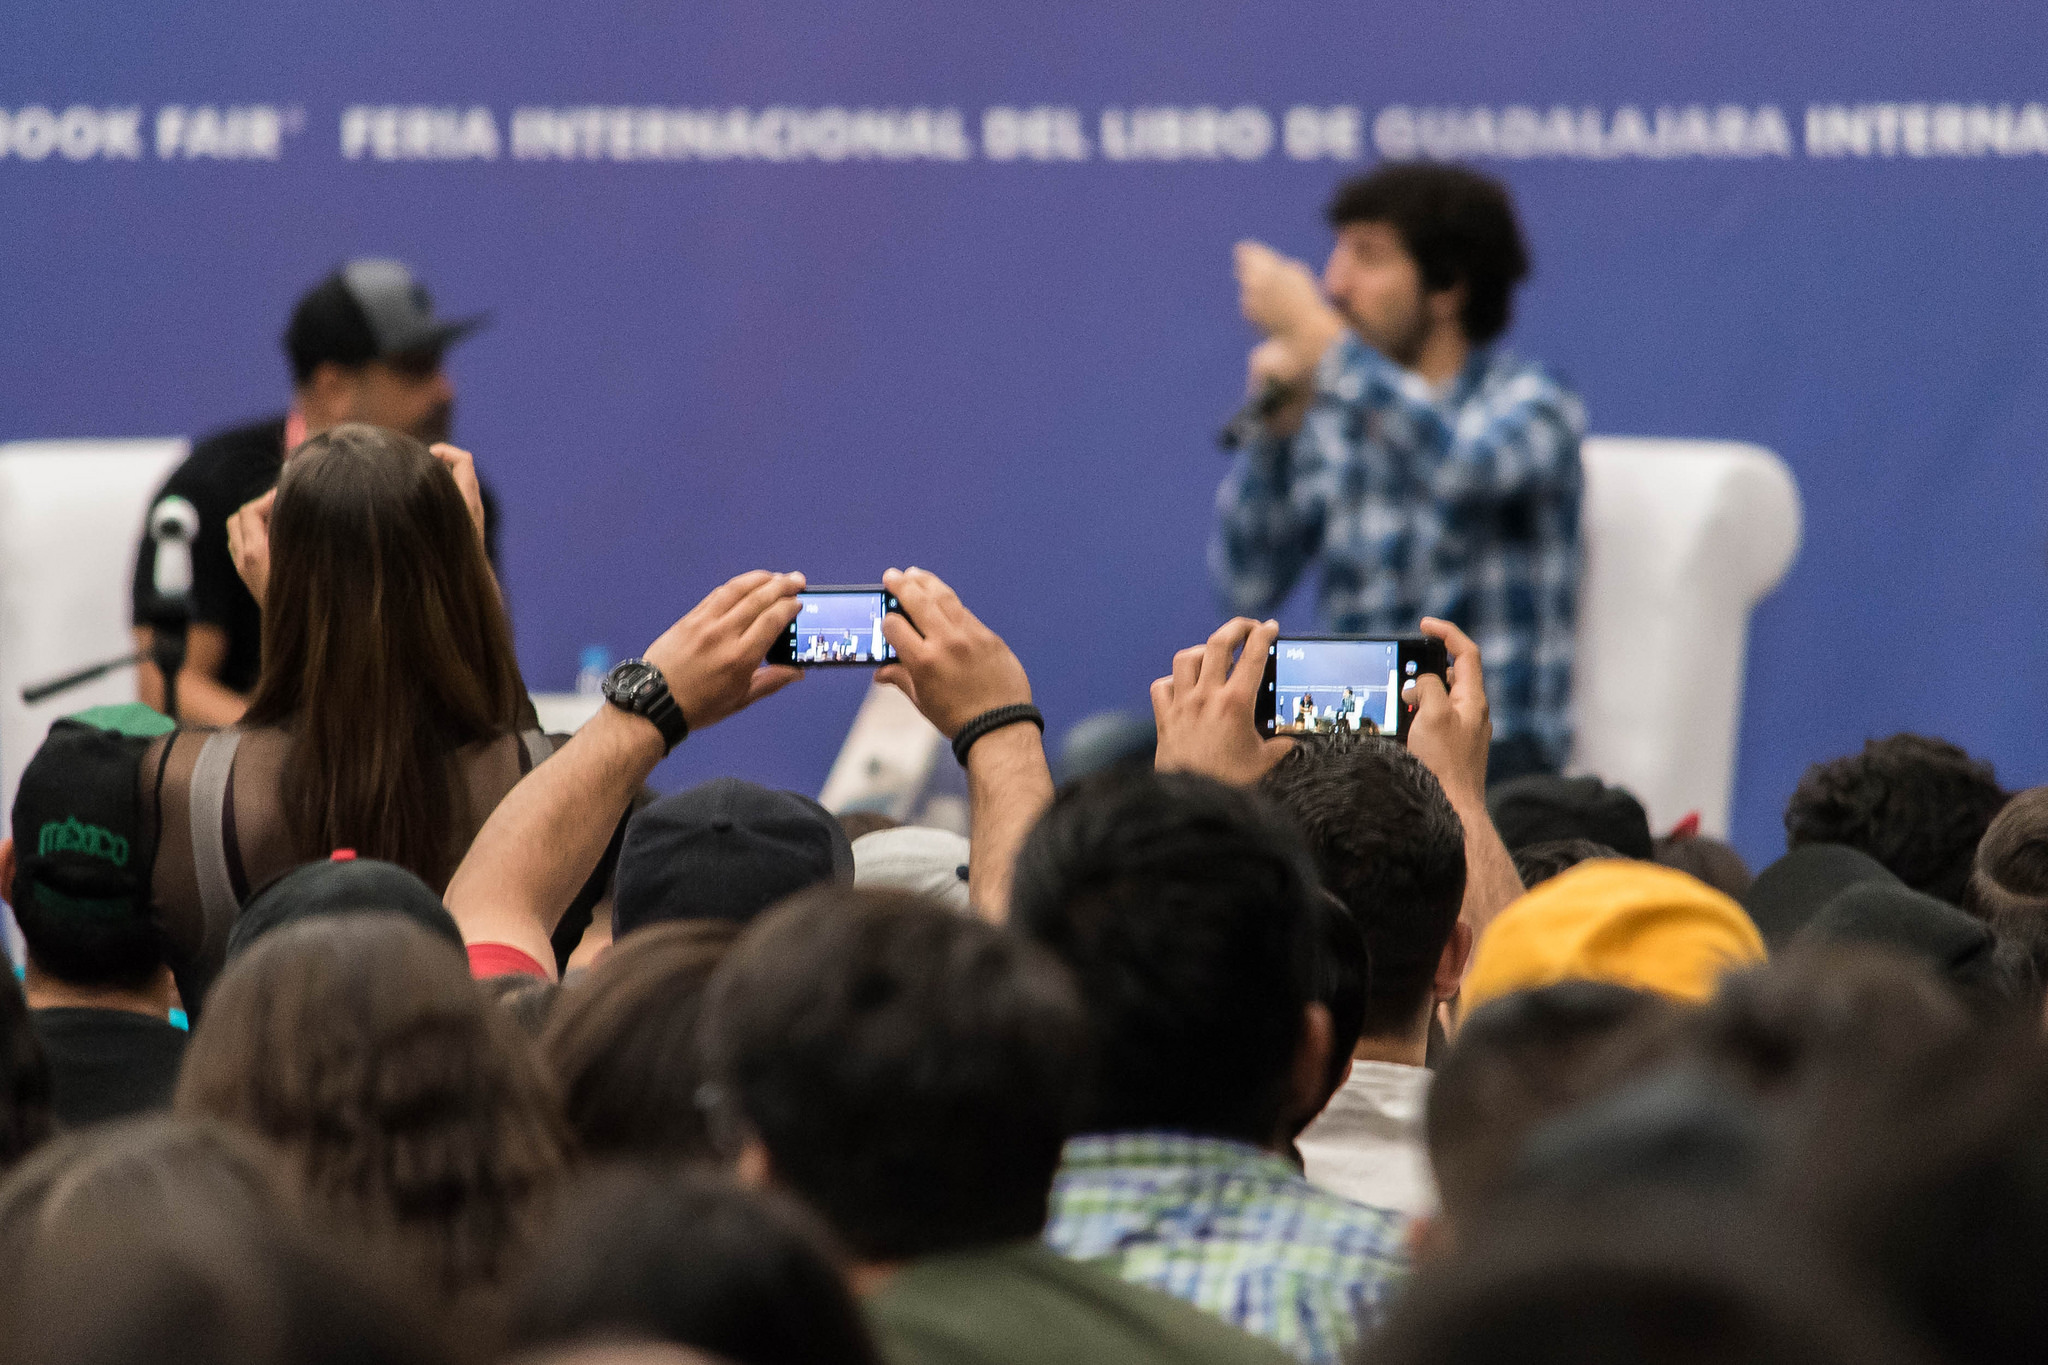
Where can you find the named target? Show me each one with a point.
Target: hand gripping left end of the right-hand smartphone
(1207, 709)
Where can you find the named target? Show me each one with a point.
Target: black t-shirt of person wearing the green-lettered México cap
(108, 1063)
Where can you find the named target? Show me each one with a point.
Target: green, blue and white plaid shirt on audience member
(1230, 1229)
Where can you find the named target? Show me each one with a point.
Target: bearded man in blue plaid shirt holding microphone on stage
(1424, 470)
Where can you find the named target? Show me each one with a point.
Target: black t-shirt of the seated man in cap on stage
(218, 478)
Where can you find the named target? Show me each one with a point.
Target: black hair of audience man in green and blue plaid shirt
(1187, 914)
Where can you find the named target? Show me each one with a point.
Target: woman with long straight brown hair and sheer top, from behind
(388, 711)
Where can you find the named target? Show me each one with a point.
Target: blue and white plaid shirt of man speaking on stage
(1461, 507)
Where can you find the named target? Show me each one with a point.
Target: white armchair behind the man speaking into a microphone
(1682, 539)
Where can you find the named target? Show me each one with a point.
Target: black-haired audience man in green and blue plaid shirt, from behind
(1187, 912)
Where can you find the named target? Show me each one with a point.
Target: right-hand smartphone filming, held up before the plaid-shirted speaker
(1345, 682)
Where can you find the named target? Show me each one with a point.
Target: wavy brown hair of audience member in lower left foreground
(411, 1110)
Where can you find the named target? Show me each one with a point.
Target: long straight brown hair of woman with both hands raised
(384, 650)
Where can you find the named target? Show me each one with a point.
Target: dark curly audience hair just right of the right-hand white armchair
(1914, 803)
